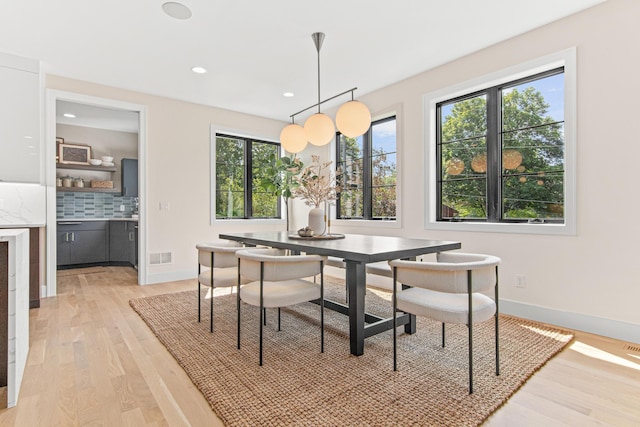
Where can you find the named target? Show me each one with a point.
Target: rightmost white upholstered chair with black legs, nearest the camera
(450, 290)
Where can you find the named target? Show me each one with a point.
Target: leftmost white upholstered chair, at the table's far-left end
(221, 255)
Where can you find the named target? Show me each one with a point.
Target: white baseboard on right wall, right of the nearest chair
(624, 331)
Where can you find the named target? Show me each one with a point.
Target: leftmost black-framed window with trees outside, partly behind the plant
(240, 164)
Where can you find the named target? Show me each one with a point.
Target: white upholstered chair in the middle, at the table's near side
(278, 280)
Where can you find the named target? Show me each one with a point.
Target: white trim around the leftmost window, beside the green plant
(214, 130)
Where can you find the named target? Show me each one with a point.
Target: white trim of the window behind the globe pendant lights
(394, 110)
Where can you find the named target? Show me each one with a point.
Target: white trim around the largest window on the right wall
(566, 59)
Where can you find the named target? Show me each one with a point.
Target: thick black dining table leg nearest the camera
(356, 283)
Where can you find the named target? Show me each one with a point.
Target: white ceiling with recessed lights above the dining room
(255, 50)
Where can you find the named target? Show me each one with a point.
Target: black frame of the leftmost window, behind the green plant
(248, 177)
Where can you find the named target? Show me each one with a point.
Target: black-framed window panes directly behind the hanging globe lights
(367, 177)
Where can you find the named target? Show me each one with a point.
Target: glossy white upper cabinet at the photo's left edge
(20, 139)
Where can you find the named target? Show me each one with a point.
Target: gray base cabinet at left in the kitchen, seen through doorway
(82, 242)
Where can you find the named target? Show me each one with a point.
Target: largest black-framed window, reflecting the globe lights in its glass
(501, 152)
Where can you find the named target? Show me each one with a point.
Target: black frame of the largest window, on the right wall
(494, 204)
